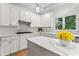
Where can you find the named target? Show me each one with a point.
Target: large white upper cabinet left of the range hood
(9, 14)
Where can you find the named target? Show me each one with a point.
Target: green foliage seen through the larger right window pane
(70, 22)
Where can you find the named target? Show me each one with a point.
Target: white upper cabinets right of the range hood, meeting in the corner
(41, 20)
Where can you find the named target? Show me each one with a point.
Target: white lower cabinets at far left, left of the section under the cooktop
(9, 45)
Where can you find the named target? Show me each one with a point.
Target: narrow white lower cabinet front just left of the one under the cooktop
(14, 44)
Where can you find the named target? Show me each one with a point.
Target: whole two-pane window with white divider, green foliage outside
(68, 22)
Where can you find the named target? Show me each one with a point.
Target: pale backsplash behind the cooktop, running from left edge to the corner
(6, 30)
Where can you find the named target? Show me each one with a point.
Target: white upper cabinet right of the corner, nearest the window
(45, 20)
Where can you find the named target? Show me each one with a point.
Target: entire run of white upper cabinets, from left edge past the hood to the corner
(10, 14)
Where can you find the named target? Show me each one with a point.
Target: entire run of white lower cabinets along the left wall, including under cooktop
(12, 44)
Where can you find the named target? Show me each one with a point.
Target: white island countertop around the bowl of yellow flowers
(52, 45)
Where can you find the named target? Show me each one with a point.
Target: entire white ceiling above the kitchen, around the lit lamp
(44, 7)
